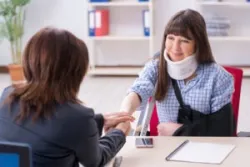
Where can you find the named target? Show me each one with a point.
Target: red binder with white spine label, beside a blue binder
(101, 22)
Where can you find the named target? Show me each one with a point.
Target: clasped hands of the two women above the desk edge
(118, 120)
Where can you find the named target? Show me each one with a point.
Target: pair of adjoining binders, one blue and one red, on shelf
(98, 22)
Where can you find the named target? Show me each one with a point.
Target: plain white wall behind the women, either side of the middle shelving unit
(71, 15)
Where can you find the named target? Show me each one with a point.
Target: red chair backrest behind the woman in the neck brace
(237, 74)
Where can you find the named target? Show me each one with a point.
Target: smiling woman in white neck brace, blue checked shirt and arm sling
(203, 106)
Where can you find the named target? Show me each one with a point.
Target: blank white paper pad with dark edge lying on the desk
(201, 152)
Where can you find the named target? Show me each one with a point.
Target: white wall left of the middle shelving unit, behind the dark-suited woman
(68, 14)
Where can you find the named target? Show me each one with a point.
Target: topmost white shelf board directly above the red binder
(95, 4)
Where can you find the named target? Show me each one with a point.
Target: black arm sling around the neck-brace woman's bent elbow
(220, 123)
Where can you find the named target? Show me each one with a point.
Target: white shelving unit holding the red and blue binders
(95, 49)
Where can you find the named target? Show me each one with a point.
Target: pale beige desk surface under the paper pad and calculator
(154, 157)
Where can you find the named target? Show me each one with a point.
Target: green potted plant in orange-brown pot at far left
(12, 13)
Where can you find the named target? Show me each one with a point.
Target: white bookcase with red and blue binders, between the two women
(125, 37)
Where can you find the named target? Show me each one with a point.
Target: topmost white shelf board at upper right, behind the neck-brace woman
(235, 4)
